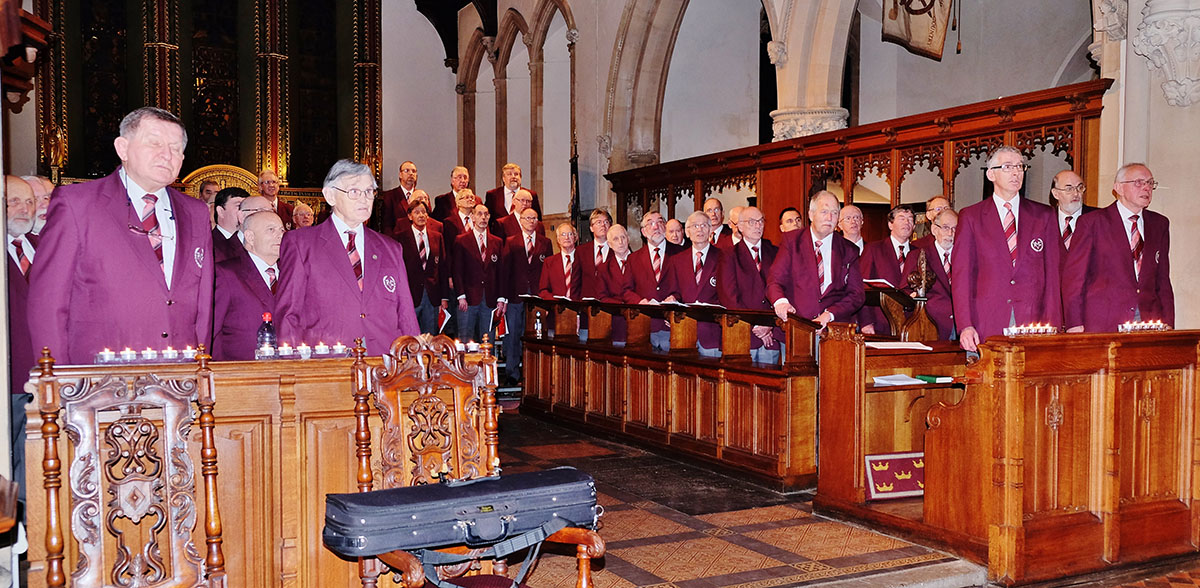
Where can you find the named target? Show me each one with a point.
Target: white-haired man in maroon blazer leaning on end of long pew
(815, 274)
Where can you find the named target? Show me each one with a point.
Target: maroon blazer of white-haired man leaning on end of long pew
(795, 277)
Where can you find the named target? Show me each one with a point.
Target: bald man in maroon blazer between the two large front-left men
(245, 289)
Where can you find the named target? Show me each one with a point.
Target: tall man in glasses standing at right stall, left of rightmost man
(1005, 267)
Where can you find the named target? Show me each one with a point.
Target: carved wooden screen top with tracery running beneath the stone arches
(785, 173)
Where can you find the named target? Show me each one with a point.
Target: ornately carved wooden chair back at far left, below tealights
(133, 483)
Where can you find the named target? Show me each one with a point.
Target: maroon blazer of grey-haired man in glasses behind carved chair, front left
(319, 298)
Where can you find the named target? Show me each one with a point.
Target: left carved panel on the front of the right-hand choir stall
(1059, 430)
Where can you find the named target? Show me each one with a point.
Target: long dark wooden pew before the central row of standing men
(753, 418)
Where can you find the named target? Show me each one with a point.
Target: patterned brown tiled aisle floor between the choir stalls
(673, 525)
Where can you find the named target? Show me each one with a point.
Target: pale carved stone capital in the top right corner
(1169, 38)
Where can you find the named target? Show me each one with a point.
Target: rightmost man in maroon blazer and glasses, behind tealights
(1119, 268)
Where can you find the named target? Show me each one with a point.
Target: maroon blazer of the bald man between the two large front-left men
(239, 301)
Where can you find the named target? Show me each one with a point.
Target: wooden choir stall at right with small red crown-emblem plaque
(1060, 455)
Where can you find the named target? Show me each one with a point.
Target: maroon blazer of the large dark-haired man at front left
(98, 284)
